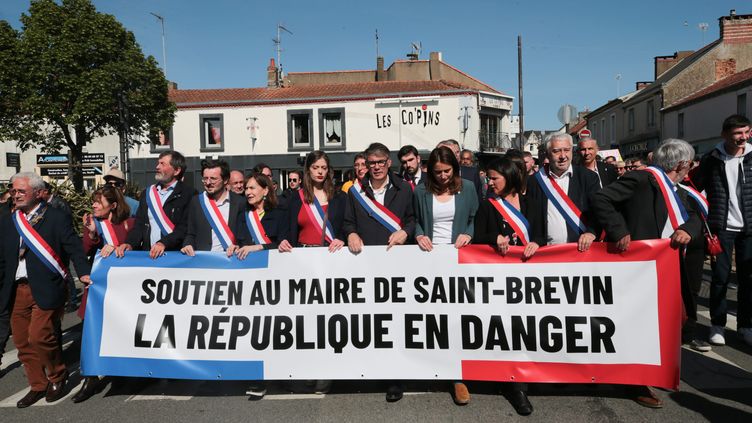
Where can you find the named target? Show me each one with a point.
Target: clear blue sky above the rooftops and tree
(572, 50)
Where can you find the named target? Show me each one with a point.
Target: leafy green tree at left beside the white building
(73, 74)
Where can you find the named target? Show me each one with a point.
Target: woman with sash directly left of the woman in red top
(262, 217)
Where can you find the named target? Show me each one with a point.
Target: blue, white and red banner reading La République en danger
(468, 314)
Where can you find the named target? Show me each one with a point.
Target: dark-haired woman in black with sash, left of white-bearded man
(502, 222)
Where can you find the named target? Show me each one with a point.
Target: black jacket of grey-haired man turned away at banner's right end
(634, 206)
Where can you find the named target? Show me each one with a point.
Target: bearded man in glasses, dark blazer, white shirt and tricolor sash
(199, 234)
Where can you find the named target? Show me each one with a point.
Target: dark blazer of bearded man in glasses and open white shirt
(199, 233)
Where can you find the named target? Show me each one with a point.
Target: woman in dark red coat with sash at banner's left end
(105, 228)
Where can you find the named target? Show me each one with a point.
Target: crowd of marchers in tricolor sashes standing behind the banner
(704, 206)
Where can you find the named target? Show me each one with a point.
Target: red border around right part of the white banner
(665, 375)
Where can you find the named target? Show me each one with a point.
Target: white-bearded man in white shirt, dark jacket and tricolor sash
(577, 183)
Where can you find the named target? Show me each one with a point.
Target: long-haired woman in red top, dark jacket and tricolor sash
(316, 214)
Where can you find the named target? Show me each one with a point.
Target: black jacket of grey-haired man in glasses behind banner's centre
(398, 199)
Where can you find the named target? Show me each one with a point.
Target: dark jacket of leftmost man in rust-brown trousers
(47, 287)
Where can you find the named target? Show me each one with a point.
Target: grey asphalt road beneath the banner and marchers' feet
(715, 386)
